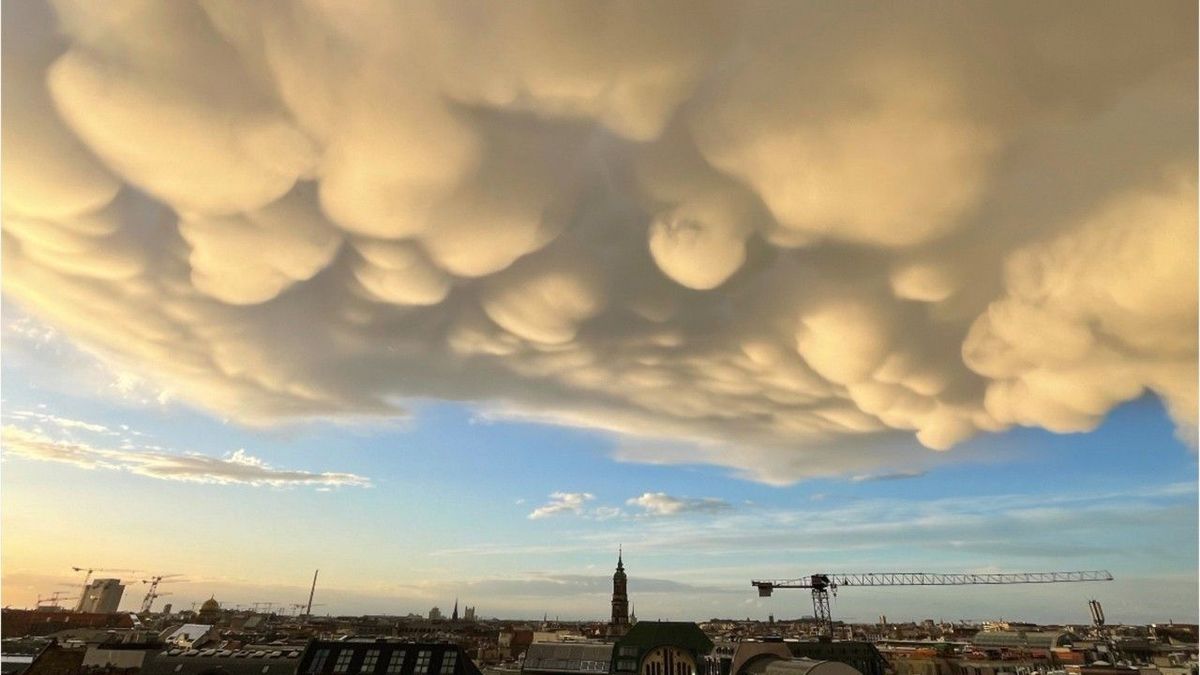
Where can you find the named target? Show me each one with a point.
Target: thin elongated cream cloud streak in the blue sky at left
(238, 468)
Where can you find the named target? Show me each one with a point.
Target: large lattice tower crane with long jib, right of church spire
(823, 586)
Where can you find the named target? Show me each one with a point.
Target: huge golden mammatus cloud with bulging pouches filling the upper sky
(775, 252)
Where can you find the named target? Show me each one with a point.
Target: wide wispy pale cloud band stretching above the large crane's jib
(855, 534)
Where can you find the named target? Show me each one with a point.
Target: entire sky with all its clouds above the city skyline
(453, 301)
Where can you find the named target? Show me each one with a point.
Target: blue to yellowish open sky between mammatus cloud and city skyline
(448, 513)
